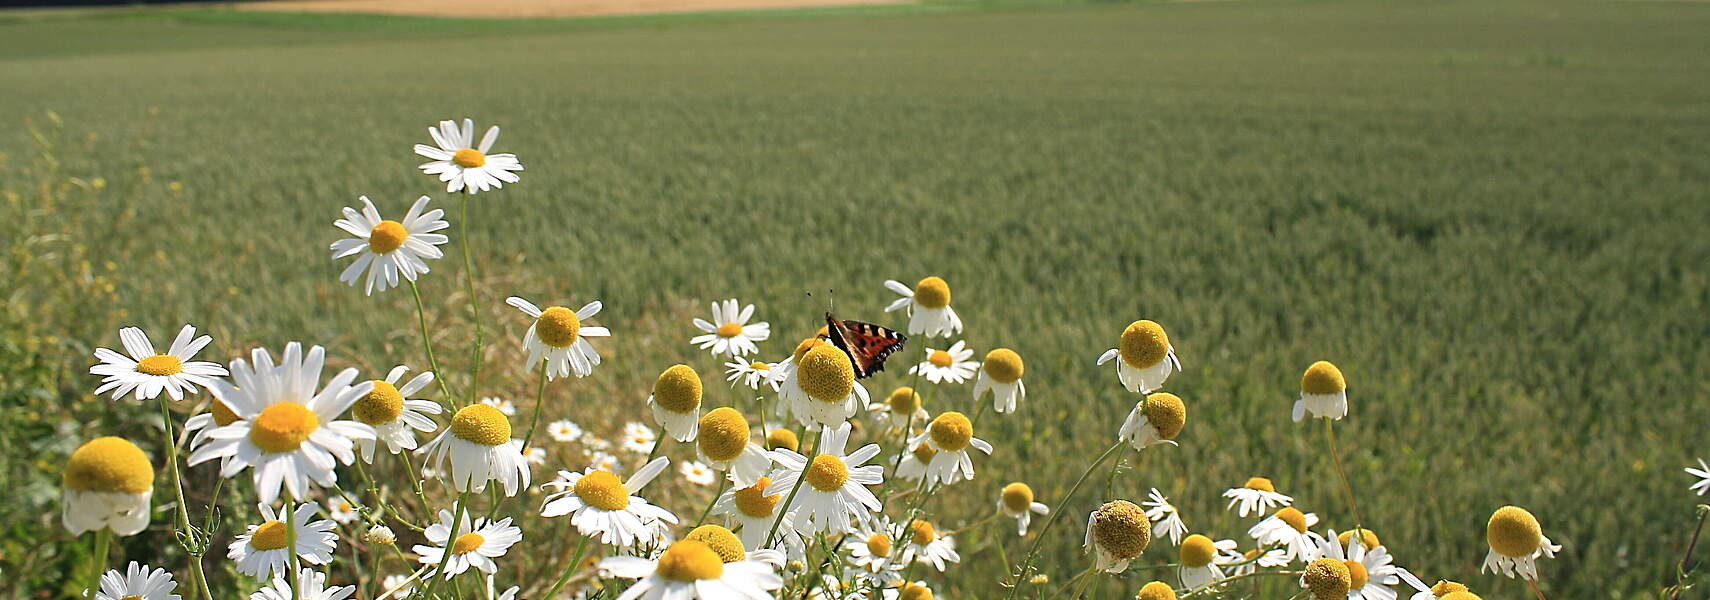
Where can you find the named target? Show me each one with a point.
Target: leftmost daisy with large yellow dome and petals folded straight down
(109, 485)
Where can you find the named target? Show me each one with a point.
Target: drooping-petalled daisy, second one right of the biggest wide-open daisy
(481, 450)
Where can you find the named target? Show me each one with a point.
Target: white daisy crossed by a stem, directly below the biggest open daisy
(264, 550)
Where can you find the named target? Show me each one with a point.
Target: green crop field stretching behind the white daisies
(1490, 216)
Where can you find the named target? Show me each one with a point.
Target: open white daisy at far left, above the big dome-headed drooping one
(148, 374)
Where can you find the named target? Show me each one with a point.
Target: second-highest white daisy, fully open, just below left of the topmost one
(389, 249)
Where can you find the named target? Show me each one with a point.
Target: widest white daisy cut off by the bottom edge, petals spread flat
(690, 570)
